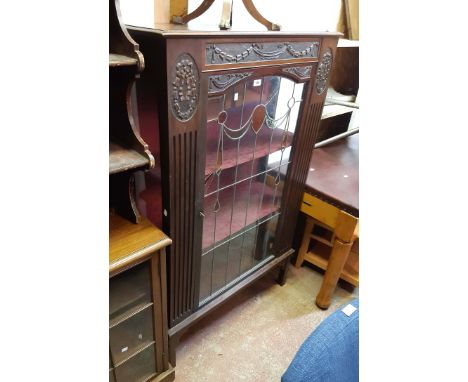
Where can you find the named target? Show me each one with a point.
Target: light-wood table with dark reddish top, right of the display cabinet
(331, 203)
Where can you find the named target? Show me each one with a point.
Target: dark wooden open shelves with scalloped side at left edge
(127, 150)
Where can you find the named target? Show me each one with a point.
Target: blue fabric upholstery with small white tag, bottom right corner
(330, 353)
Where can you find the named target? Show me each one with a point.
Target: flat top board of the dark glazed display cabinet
(174, 30)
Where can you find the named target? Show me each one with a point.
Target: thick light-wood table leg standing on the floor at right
(337, 260)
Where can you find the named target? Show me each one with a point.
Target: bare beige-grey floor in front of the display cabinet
(255, 335)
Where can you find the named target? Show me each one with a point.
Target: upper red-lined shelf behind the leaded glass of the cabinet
(233, 155)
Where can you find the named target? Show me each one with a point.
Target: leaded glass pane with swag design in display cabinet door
(249, 132)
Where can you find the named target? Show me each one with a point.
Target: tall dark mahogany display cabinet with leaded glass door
(234, 118)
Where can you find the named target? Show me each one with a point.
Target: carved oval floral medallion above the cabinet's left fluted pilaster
(185, 87)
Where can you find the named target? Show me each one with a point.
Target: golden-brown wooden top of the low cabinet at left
(131, 243)
